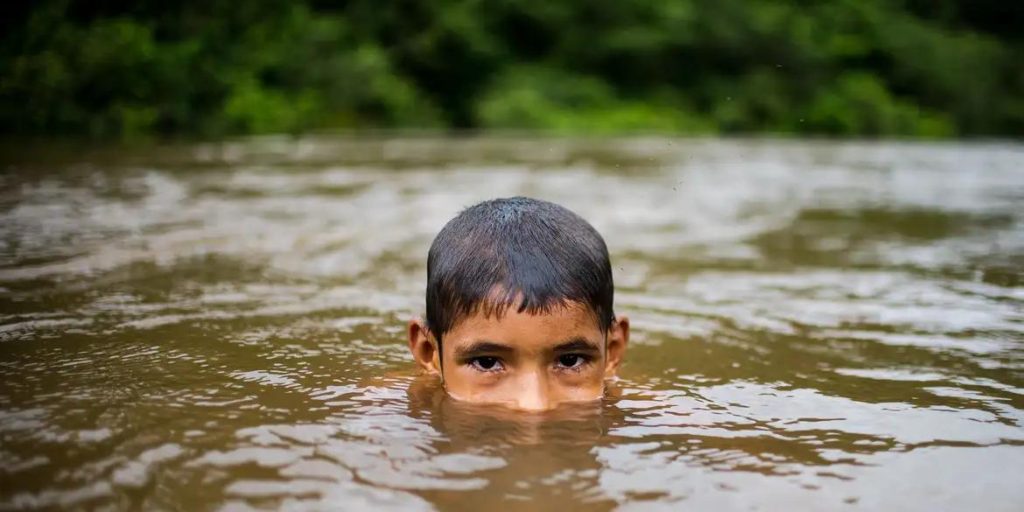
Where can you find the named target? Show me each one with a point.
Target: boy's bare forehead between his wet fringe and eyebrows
(526, 329)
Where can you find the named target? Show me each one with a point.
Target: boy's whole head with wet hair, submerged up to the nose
(520, 307)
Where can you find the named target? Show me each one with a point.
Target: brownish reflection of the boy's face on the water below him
(560, 441)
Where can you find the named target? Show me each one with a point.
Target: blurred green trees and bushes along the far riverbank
(843, 67)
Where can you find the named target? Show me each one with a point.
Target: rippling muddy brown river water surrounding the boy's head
(818, 326)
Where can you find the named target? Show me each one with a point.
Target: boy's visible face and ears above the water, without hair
(522, 361)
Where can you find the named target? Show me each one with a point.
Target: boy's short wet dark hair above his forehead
(522, 252)
